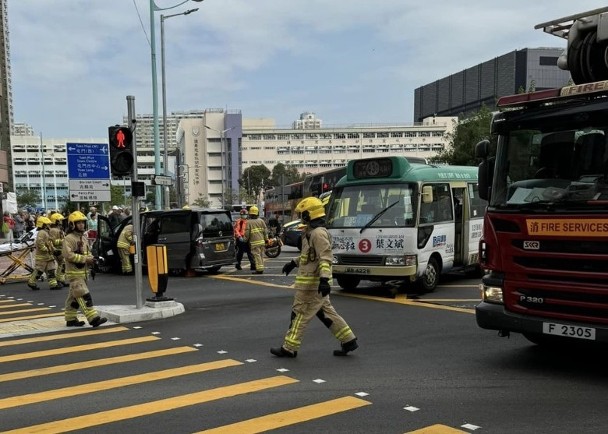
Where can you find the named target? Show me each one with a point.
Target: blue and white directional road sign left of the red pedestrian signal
(88, 164)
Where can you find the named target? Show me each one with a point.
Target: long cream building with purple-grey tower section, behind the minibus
(215, 150)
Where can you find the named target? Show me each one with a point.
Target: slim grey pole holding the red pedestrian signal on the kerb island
(135, 206)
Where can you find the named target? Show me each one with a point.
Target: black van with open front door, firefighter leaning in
(197, 239)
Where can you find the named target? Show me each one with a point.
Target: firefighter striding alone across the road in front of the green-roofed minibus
(312, 285)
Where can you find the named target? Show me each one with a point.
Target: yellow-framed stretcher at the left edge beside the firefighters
(17, 259)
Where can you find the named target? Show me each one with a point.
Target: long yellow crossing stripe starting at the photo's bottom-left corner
(155, 407)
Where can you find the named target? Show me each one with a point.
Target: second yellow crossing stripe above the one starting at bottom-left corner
(78, 366)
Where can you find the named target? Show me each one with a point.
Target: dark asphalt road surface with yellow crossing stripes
(423, 364)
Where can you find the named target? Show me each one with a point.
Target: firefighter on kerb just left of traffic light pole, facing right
(78, 259)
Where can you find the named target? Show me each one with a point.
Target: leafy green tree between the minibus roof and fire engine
(461, 142)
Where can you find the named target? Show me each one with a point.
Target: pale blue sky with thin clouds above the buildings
(349, 61)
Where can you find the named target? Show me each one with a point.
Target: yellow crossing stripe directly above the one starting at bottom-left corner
(114, 383)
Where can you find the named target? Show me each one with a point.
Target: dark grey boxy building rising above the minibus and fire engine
(466, 91)
